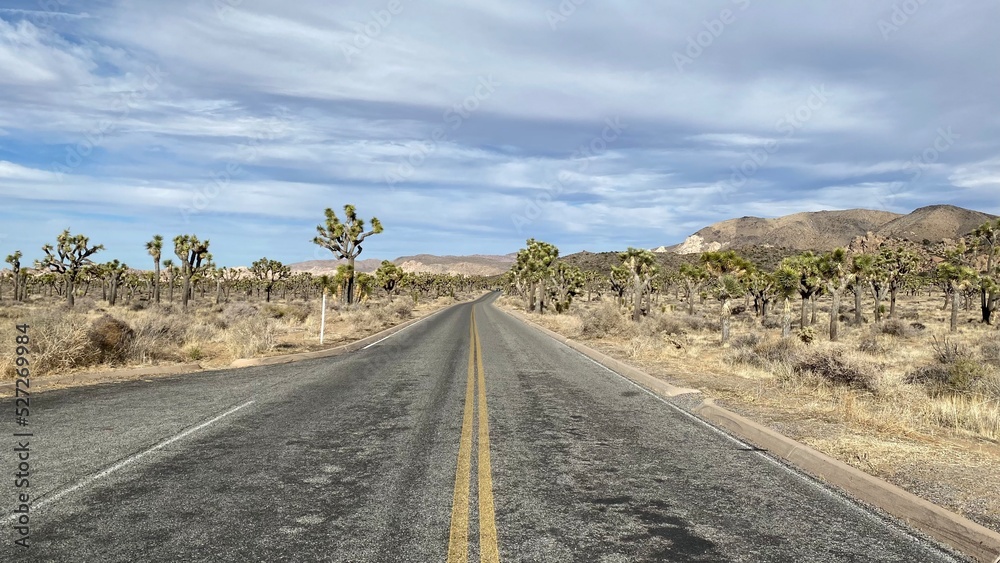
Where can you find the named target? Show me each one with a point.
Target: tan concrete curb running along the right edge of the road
(959, 532)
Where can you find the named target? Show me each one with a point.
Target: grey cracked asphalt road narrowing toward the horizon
(399, 453)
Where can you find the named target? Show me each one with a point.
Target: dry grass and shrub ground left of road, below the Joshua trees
(94, 336)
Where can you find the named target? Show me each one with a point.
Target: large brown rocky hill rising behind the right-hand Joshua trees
(825, 230)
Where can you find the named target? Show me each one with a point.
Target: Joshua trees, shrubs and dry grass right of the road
(883, 354)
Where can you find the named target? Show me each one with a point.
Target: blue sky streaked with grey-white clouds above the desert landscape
(467, 126)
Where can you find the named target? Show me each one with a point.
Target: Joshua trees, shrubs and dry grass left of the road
(89, 314)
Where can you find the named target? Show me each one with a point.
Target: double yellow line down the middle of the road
(458, 545)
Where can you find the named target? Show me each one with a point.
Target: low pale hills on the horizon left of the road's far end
(475, 265)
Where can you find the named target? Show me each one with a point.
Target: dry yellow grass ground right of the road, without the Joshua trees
(888, 399)
